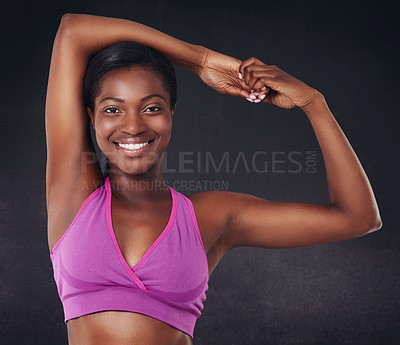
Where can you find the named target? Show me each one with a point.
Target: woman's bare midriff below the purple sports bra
(123, 328)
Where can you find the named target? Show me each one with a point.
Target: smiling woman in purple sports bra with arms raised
(131, 256)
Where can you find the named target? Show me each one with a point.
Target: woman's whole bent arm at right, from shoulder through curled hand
(244, 220)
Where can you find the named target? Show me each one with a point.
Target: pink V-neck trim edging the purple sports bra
(166, 229)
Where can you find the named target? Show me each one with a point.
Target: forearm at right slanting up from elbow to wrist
(348, 185)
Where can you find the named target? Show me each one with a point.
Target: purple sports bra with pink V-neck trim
(168, 283)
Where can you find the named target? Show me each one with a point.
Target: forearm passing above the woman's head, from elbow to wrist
(93, 33)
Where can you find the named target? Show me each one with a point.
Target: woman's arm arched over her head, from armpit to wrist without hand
(72, 171)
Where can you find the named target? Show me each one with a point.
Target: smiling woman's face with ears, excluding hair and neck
(132, 120)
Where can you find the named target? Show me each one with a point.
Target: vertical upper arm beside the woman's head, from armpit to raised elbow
(72, 172)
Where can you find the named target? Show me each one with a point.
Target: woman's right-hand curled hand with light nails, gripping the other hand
(272, 85)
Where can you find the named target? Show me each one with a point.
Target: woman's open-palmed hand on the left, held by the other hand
(221, 73)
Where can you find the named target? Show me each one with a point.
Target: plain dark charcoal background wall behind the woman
(337, 293)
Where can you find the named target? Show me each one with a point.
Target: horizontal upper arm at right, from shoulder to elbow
(230, 220)
